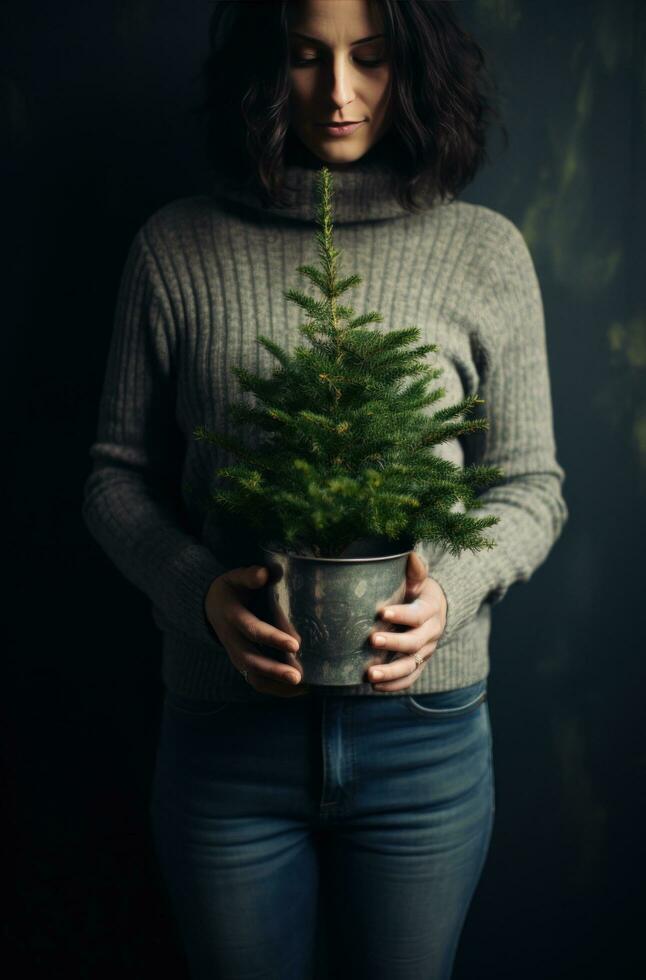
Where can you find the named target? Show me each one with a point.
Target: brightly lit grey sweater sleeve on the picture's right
(515, 386)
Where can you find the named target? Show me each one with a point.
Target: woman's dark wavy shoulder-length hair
(443, 99)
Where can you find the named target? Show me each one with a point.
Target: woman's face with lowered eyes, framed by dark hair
(335, 79)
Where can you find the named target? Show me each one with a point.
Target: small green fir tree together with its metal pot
(344, 481)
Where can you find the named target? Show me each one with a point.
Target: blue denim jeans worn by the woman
(380, 807)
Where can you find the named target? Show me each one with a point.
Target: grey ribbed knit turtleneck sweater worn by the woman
(203, 277)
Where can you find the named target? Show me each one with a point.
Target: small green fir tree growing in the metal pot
(347, 450)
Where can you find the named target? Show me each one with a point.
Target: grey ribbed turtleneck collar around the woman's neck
(362, 192)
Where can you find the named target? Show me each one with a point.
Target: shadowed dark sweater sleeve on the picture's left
(130, 500)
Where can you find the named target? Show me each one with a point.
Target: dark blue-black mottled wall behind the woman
(97, 101)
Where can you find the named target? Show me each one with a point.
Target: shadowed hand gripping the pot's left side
(239, 631)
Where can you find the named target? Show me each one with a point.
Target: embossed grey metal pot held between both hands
(332, 606)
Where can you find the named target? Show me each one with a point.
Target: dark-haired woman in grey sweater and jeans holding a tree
(267, 794)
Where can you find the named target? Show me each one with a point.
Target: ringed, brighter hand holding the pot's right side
(426, 617)
